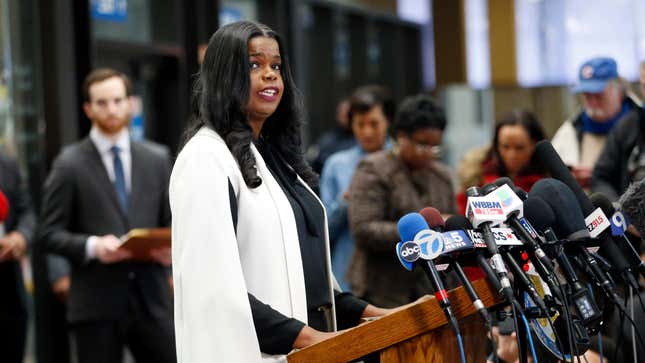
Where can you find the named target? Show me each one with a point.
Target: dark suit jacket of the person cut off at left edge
(21, 218)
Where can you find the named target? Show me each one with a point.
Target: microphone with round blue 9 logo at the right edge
(618, 227)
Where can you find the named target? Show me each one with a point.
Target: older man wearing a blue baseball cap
(605, 101)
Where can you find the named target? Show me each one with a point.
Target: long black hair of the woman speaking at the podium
(221, 92)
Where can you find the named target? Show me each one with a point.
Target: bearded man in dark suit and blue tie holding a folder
(98, 189)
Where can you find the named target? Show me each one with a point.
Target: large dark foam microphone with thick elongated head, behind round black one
(570, 223)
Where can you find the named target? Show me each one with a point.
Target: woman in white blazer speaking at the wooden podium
(250, 241)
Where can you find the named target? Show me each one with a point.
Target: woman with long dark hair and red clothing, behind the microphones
(510, 155)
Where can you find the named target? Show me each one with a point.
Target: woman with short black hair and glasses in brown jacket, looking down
(387, 185)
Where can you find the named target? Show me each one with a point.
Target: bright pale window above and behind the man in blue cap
(554, 37)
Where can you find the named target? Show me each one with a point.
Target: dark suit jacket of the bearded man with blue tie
(79, 200)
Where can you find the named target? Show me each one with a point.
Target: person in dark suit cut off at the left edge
(14, 236)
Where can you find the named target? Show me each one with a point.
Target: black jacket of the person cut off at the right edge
(611, 176)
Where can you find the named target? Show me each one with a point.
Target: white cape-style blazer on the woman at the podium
(213, 269)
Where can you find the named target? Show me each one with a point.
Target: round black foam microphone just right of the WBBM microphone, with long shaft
(542, 216)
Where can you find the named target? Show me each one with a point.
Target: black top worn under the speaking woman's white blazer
(276, 332)
